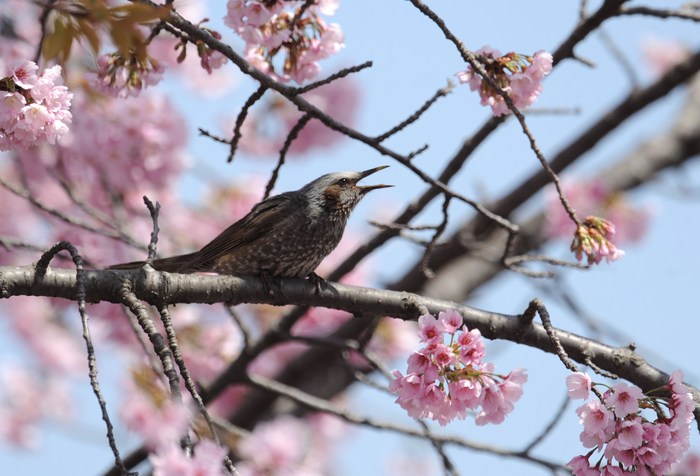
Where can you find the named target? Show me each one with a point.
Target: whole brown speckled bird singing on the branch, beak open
(287, 235)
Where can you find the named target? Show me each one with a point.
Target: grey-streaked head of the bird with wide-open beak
(339, 191)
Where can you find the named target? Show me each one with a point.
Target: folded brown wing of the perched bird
(259, 222)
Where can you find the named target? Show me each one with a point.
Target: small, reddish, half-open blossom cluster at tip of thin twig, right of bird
(593, 239)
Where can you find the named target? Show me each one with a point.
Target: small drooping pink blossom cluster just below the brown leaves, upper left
(125, 75)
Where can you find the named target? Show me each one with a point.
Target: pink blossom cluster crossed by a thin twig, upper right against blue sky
(520, 76)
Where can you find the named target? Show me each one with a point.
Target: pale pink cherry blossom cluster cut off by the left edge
(33, 108)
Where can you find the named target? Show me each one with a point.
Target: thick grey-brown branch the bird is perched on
(156, 287)
